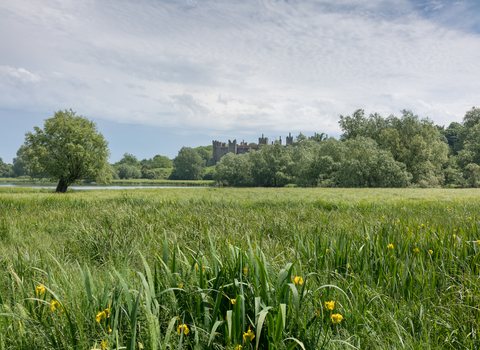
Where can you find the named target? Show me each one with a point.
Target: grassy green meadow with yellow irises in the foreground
(215, 268)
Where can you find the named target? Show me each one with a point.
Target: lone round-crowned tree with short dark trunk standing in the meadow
(67, 149)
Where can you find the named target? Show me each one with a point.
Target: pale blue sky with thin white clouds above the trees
(159, 75)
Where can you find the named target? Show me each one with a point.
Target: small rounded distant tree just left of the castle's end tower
(188, 165)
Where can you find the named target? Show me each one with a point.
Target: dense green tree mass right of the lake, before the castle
(373, 151)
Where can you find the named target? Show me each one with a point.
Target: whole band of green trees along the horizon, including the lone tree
(373, 151)
